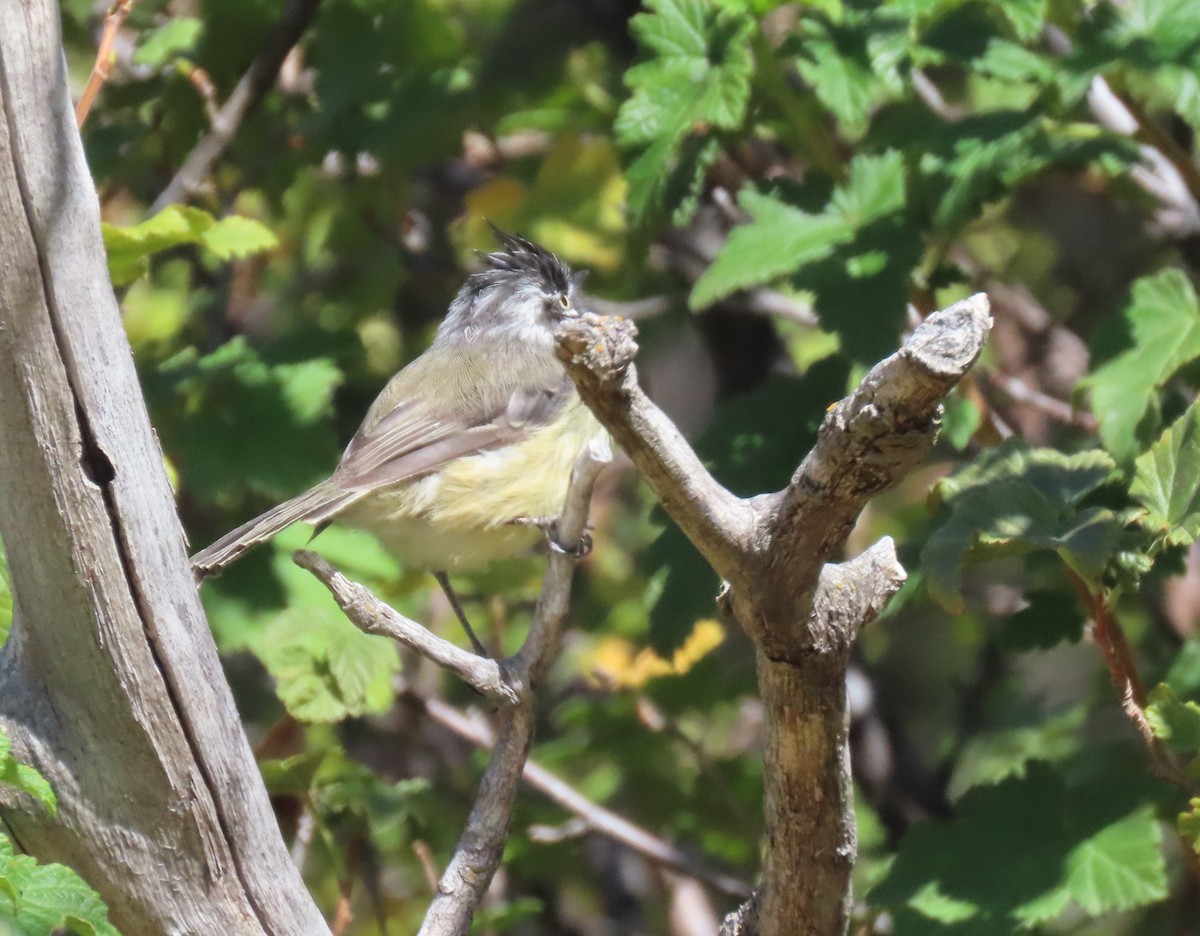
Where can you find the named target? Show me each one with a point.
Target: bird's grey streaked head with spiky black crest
(523, 295)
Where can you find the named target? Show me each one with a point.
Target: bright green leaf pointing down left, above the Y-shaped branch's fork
(782, 241)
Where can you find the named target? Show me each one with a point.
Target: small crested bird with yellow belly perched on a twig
(466, 455)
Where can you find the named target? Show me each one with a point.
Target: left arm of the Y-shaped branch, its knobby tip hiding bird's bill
(599, 356)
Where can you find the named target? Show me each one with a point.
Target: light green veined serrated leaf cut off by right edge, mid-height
(1167, 482)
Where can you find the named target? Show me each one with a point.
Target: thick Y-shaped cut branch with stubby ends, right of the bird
(802, 615)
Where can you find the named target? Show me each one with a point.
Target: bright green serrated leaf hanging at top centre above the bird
(697, 81)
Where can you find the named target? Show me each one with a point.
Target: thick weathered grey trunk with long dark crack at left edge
(110, 683)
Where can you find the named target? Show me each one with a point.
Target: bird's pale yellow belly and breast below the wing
(461, 517)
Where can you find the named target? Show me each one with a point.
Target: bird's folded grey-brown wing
(411, 441)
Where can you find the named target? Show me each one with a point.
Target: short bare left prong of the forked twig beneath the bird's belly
(373, 616)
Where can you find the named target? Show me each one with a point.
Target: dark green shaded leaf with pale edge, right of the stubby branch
(1016, 500)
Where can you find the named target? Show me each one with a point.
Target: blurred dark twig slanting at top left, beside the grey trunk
(250, 91)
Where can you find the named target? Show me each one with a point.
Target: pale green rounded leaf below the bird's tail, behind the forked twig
(326, 669)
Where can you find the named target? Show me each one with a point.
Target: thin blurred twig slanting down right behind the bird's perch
(596, 818)
